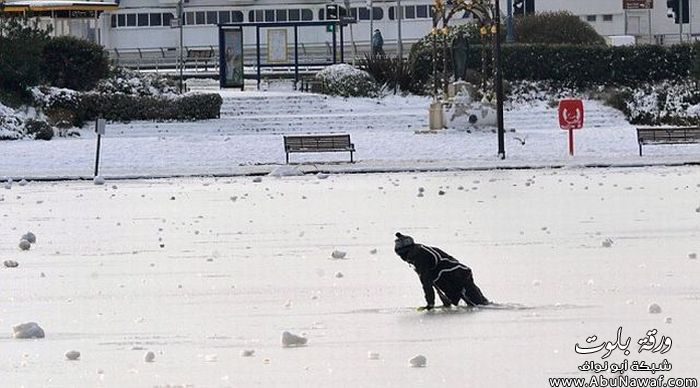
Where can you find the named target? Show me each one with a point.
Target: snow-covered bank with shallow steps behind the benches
(248, 139)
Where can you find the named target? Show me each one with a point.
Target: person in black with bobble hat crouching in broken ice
(452, 279)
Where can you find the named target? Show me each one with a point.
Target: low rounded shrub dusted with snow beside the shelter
(347, 81)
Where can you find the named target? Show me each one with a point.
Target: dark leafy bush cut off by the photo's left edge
(21, 44)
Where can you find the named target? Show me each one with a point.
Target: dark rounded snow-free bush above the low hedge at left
(74, 63)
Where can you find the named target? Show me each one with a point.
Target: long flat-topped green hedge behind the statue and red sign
(573, 65)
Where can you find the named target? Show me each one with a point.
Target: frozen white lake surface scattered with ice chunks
(199, 270)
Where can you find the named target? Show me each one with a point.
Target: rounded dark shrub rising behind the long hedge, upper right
(560, 27)
